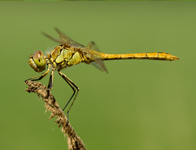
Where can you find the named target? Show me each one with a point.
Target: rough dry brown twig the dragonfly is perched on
(74, 141)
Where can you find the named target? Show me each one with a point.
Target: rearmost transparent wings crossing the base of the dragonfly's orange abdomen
(98, 63)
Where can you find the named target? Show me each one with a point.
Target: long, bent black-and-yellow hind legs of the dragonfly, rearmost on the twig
(75, 89)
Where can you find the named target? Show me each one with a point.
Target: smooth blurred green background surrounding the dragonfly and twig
(139, 105)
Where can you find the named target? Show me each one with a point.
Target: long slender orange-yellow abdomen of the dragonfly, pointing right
(153, 56)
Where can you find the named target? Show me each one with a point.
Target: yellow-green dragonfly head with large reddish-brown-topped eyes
(37, 61)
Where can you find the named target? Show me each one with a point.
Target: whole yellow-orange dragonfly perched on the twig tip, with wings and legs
(69, 53)
